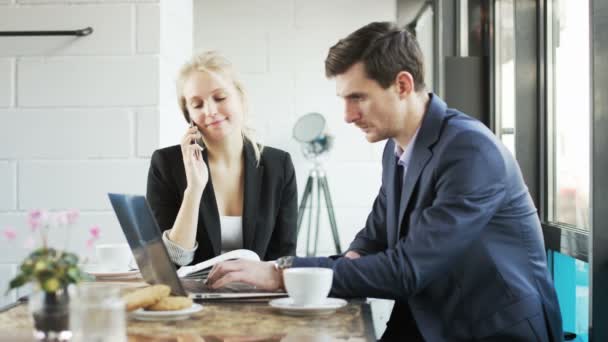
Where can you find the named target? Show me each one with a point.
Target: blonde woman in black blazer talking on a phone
(218, 190)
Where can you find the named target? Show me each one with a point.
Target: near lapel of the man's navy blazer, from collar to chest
(427, 136)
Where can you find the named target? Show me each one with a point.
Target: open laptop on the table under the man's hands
(145, 239)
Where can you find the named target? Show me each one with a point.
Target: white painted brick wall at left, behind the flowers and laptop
(78, 116)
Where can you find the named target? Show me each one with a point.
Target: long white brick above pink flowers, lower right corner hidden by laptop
(78, 184)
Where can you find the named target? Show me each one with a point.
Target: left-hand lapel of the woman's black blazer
(208, 214)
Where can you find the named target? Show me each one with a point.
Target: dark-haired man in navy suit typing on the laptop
(453, 236)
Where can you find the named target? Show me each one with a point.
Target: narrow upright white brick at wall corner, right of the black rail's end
(148, 29)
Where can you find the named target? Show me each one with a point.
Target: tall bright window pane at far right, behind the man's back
(568, 106)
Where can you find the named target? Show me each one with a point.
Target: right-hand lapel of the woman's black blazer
(253, 181)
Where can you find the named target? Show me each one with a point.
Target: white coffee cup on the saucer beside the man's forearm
(308, 286)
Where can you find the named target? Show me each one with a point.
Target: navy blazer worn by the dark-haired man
(461, 244)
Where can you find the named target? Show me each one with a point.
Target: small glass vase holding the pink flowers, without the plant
(50, 315)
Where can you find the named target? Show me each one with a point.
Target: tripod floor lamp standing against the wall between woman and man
(309, 130)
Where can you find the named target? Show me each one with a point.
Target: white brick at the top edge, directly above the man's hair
(349, 14)
